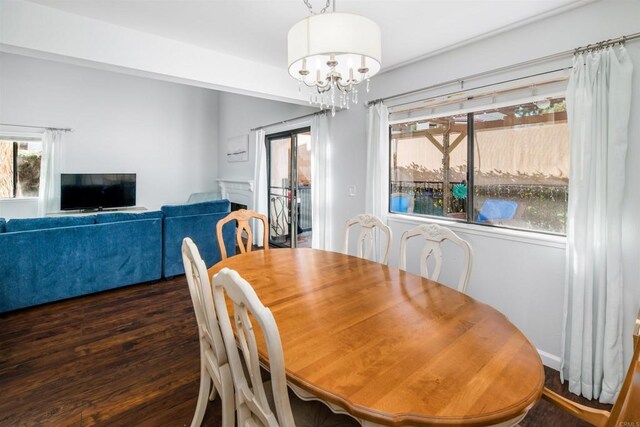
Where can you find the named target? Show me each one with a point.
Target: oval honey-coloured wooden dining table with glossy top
(389, 347)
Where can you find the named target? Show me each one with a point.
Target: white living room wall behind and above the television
(166, 133)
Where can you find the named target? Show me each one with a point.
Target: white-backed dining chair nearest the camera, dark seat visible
(255, 400)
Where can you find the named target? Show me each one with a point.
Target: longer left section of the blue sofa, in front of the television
(49, 259)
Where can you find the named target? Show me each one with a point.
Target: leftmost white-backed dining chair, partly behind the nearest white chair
(214, 366)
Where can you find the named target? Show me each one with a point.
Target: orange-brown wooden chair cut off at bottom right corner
(626, 410)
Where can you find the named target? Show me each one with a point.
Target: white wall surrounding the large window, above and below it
(518, 275)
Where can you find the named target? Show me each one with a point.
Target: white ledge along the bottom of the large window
(528, 237)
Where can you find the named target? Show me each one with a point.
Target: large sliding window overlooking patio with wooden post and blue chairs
(520, 164)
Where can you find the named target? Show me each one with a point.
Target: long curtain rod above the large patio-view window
(461, 80)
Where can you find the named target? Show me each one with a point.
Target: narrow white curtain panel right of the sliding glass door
(320, 183)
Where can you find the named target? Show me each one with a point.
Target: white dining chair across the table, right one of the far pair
(434, 235)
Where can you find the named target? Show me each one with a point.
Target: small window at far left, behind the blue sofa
(20, 159)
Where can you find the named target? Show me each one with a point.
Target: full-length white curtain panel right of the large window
(598, 105)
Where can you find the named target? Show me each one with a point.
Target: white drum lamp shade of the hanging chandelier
(353, 40)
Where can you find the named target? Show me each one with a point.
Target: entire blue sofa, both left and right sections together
(54, 258)
